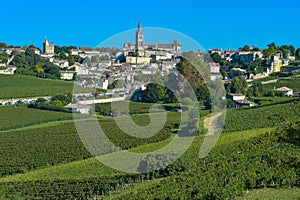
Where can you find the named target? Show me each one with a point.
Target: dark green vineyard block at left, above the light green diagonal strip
(22, 151)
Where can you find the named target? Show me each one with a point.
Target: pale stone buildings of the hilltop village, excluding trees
(140, 58)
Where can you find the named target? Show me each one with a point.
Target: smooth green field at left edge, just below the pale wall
(19, 117)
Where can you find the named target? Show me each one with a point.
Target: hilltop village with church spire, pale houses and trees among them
(124, 71)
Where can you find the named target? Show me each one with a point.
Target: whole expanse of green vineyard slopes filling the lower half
(52, 163)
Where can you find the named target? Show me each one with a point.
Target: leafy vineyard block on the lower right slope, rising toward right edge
(232, 170)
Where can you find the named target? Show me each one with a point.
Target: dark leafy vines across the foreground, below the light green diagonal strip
(233, 166)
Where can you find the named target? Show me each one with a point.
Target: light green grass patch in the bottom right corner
(272, 194)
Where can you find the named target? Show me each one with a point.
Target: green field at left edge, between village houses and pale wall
(27, 86)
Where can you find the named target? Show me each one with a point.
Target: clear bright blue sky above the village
(213, 24)
